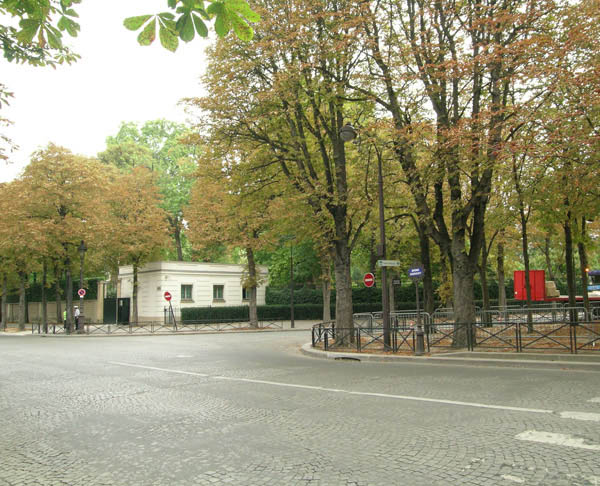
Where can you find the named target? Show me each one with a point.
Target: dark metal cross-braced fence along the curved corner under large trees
(516, 336)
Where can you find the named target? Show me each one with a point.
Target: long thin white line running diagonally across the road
(336, 390)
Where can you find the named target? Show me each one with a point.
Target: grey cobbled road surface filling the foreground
(250, 409)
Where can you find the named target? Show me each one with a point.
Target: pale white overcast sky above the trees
(116, 80)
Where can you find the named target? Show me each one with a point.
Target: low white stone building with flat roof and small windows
(191, 284)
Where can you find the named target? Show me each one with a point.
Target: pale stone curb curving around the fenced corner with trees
(530, 361)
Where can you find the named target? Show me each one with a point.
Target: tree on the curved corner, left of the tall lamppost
(285, 96)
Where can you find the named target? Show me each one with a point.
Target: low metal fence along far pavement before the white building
(161, 327)
